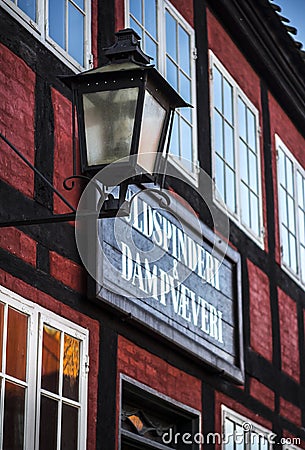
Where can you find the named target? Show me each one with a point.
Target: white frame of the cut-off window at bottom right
(246, 424)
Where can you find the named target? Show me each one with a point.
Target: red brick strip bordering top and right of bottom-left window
(33, 294)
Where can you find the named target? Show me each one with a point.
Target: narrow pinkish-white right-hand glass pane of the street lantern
(154, 116)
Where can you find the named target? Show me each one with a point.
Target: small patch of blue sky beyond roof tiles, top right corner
(295, 11)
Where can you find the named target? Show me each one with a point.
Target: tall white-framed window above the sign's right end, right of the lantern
(236, 156)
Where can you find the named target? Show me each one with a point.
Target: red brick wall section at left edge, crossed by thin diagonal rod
(17, 92)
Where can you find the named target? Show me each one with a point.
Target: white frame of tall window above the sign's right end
(237, 93)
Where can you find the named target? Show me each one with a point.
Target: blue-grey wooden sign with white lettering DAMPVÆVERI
(170, 273)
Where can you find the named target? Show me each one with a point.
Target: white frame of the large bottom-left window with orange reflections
(37, 316)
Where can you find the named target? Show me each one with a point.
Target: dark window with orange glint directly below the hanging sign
(150, 420)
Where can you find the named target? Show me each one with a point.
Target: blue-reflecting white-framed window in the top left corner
(63, 25)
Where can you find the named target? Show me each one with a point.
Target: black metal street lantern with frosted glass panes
(124, 110)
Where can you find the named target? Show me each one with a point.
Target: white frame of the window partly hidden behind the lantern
(162, 6)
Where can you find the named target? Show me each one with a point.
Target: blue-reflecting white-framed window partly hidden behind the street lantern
(169, 39)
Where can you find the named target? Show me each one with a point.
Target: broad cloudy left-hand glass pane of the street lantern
(109, 123)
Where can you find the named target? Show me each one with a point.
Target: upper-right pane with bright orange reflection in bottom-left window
(71, 367)
